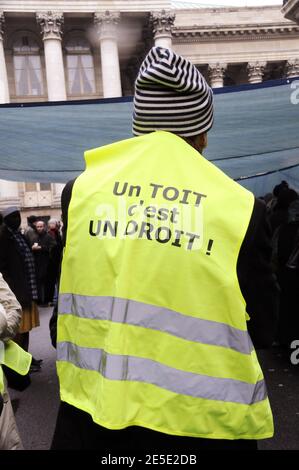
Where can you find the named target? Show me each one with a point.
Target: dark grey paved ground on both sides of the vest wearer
(36, 407)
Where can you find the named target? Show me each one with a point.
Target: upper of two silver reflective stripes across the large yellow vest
(162, 319)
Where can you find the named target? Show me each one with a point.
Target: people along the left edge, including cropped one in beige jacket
(29, 270)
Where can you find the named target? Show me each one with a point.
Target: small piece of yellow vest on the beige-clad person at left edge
(14, 357)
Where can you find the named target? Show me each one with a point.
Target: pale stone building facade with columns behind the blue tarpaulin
(56, 50)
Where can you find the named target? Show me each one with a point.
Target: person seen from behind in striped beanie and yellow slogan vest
(163, 257)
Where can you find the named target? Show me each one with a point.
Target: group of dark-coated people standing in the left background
(29, 263)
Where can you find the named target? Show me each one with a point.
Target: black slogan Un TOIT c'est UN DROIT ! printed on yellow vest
(153, 211)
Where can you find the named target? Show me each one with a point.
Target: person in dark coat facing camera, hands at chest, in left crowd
(42, 245)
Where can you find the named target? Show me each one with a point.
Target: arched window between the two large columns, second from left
(80, 67)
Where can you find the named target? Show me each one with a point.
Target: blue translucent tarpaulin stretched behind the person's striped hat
(255, 138)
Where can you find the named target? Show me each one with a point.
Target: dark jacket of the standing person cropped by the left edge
(12, 267)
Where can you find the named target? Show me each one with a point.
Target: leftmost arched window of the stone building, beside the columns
(27, 67)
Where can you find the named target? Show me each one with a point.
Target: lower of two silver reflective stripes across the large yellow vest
(131, 368)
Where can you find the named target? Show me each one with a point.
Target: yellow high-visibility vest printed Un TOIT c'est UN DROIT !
(152, 326)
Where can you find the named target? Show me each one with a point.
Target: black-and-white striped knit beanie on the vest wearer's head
(171, 95)
